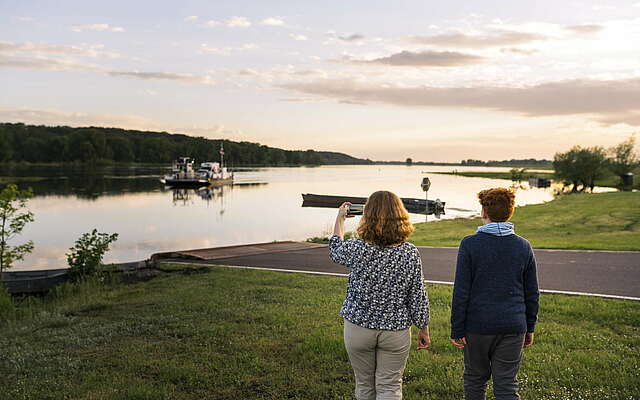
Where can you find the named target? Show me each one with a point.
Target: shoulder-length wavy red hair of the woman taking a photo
(385, 220)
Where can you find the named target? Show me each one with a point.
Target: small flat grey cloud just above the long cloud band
(423, 59)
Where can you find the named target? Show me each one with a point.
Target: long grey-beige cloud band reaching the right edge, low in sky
(609, 101)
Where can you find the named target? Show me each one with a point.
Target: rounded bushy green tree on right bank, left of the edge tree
(580, 166)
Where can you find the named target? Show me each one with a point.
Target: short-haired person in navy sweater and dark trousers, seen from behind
(495, 300)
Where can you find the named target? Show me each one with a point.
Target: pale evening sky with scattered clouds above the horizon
(434, 81)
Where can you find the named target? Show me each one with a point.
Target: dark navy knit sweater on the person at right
(496, 286)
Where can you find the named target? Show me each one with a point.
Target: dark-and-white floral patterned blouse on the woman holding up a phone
(386, 287)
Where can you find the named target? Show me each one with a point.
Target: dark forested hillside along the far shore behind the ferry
(53, 144)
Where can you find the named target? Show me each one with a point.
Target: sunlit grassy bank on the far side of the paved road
(604, 221)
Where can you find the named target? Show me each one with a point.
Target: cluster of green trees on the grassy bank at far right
(580, 167)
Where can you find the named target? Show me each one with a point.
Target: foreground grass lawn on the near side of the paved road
(250, 334)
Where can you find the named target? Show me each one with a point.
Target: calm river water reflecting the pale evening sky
(263, 205)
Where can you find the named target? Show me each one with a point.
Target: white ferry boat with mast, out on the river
(183, 173)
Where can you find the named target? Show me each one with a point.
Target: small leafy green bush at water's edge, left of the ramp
(86, 255)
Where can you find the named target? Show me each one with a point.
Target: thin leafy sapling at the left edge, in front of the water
(13, 219)
